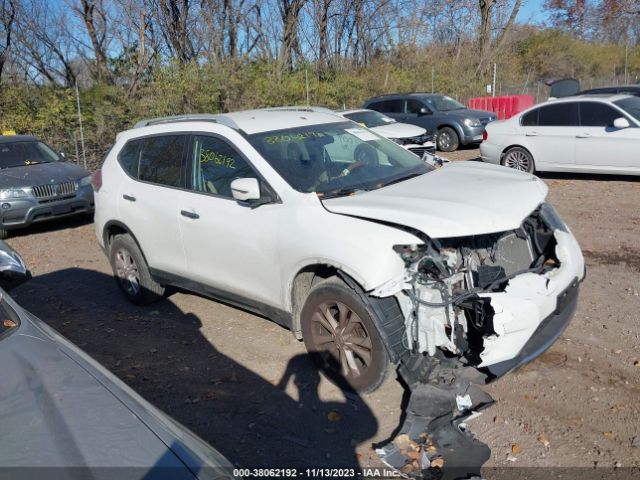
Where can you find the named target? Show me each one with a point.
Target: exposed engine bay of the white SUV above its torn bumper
(444, 290)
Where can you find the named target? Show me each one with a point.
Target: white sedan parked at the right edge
(589, 133)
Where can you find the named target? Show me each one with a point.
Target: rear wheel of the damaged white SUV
(131, 271)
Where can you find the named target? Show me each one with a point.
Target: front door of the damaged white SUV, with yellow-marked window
(229, 247)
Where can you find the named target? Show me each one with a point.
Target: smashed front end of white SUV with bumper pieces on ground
(475, 309)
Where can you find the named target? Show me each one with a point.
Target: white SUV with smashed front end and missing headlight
(364, 251)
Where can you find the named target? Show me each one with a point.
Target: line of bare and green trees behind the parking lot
(135, 58)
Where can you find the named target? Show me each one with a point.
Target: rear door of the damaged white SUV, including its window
(149, 196)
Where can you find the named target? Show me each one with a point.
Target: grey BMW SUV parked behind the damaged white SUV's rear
(37, 184)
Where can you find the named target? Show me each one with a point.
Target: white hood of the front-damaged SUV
(459, 199)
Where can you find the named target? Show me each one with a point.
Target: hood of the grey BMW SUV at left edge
(40, 174)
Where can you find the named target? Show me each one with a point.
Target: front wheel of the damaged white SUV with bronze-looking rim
(344, 341)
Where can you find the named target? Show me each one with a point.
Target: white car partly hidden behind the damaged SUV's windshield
(413, 138)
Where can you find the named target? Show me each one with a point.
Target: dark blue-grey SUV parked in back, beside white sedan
(448, 120)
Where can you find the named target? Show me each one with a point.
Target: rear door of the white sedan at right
(550, 133)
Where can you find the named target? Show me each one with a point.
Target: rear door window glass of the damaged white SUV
(161, 160)
